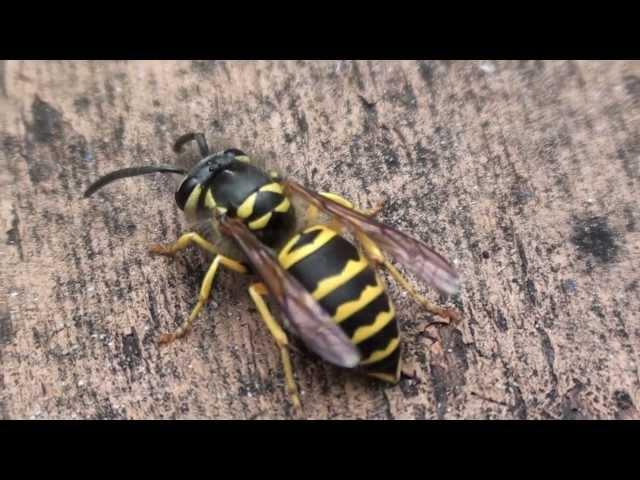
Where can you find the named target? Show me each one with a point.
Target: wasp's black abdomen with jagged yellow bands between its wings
(349, 289)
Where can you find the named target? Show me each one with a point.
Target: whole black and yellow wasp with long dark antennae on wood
(327, 288)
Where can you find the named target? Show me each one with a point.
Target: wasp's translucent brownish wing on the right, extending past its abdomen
(414, 254)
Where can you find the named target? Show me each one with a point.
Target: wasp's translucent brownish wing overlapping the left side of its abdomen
(307, 318)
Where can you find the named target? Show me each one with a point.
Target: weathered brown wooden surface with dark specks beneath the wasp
(525, 174)
